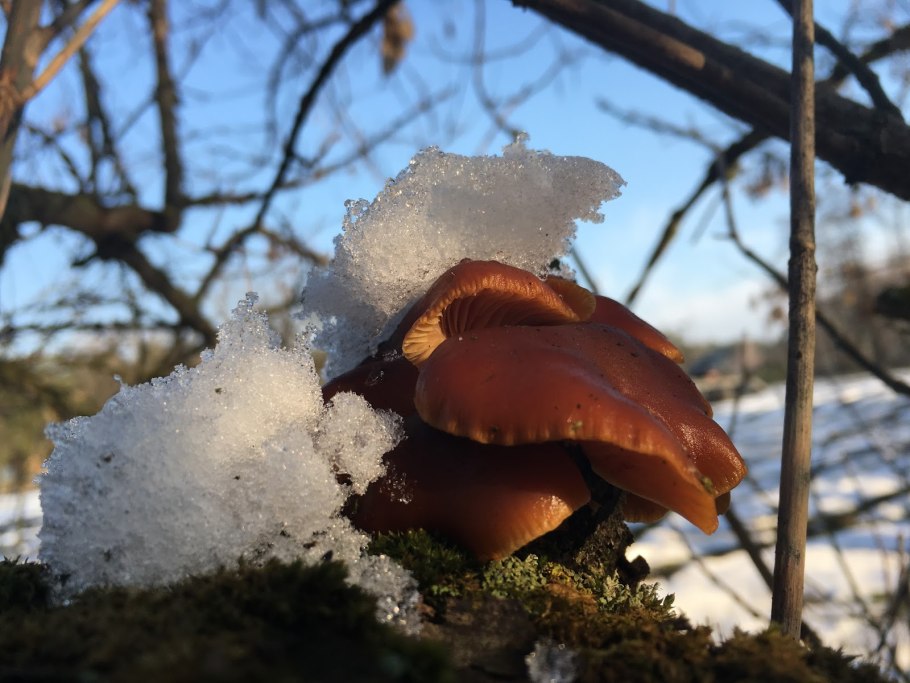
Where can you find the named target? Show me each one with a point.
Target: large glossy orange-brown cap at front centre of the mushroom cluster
(639, 418)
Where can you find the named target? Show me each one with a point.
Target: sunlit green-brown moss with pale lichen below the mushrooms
(623, 630)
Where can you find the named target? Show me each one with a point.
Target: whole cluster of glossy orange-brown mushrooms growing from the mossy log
(498, 374)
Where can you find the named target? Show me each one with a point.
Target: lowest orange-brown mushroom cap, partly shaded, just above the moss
(491, 499)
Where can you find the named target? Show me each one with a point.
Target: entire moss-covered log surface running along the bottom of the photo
(287, 622)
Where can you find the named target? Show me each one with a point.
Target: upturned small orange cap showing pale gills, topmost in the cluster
(478, 294)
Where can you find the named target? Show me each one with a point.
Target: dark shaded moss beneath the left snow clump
(277, 622)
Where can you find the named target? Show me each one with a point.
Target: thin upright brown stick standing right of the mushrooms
(790, 554)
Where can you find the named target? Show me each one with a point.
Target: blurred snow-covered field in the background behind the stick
(862, 453)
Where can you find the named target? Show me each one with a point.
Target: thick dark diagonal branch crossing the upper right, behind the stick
(865, 145)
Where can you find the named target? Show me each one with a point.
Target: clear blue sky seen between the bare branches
(703, 289)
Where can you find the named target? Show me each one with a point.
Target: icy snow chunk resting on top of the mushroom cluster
(519, 209)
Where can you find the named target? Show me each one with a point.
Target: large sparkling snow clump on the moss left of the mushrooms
(234, 458)
